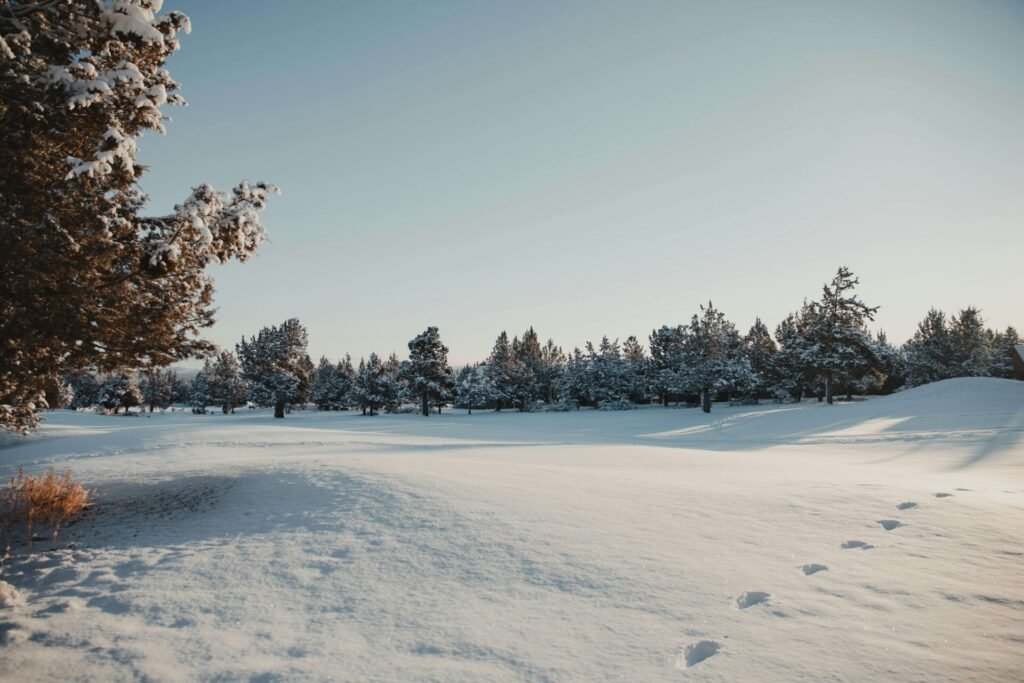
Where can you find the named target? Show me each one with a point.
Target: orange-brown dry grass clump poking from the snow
(50, 499)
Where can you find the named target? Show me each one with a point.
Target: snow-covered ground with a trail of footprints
(881, 540)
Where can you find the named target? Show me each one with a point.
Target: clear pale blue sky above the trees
(602, 168)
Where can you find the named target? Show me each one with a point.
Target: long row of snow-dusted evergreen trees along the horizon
(824, 350)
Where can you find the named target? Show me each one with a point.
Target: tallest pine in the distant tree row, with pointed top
(842, 347)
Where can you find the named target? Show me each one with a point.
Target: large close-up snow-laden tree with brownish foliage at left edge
(81, 80)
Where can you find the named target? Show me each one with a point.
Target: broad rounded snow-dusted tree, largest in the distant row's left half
(276, 366)
